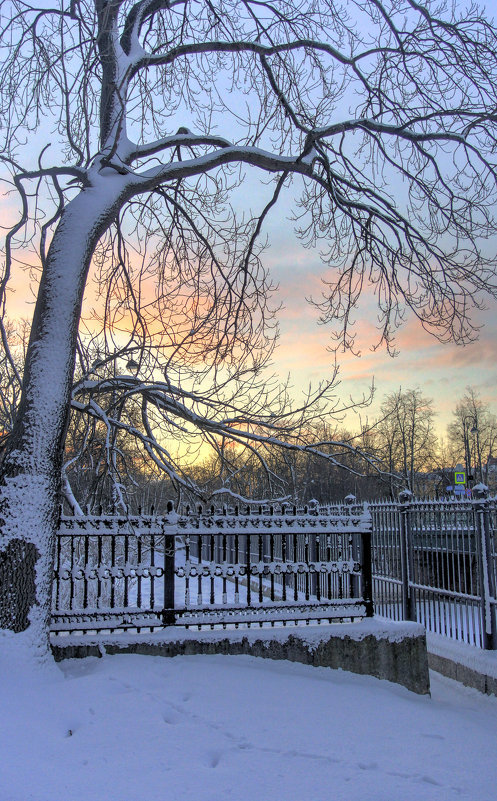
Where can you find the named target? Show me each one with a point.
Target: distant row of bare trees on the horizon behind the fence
(399, 449)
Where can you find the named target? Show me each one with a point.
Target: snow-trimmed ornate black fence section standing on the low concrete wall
(271, 566)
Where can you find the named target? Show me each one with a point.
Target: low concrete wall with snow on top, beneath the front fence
(397, 654)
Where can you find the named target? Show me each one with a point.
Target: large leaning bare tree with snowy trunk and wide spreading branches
(126, 127)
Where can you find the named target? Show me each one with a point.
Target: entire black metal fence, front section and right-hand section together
(434, 562)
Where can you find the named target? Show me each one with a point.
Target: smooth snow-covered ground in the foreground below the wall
(213, 728)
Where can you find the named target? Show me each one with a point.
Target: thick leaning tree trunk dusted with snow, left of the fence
(31, 469)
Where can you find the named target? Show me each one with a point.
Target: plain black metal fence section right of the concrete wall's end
(435, 562)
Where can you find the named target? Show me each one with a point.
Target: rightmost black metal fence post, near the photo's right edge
(485, 568)
